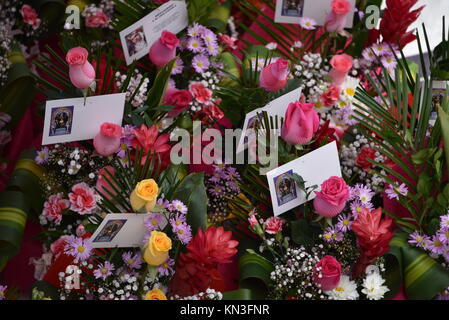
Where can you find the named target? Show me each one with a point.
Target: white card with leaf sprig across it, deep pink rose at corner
(315, 168)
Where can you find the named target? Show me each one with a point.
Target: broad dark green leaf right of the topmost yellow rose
(192, 192)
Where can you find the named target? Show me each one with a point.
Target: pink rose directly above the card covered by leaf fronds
(274, 76)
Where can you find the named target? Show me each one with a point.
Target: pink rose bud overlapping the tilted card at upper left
(164, 49)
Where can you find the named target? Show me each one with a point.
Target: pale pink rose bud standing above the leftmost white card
(81, 72)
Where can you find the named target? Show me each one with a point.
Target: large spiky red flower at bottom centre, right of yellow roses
(197, 270)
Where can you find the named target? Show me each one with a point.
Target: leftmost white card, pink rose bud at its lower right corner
(69, 120)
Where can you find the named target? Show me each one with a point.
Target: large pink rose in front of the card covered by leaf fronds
(301, 122)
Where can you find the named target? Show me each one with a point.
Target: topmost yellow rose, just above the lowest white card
(144, 195)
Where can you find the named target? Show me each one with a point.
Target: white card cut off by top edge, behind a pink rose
(290, 11)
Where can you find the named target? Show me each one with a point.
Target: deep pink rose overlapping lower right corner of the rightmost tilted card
(331, 200)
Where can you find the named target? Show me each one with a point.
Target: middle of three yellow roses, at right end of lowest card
(155, 252)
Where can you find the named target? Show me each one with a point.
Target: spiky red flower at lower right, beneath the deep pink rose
(373, 236)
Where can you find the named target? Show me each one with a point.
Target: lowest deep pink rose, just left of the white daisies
(327, 273)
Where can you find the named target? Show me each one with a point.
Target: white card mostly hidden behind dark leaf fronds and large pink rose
(277, 107)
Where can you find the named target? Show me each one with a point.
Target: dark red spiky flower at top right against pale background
(397, 18)
